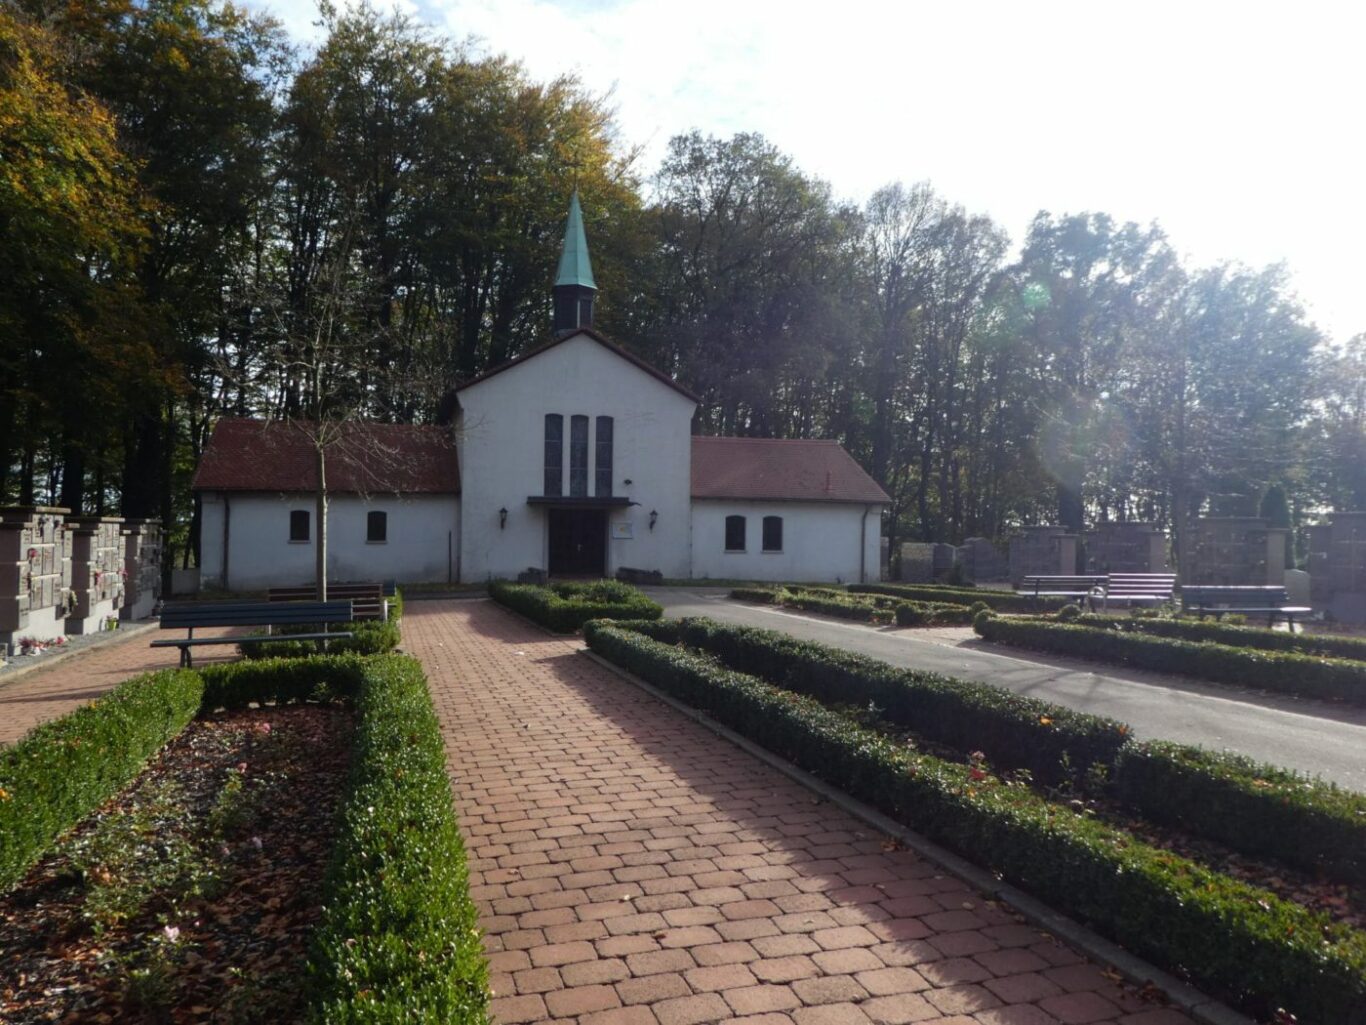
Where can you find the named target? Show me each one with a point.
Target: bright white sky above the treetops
(1241, 128)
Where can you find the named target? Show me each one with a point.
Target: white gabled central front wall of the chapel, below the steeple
(502, 445)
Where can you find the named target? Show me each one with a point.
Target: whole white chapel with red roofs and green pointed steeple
(574, 460)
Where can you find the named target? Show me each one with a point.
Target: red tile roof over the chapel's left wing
(367, 459)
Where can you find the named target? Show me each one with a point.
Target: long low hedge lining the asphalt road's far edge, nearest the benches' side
(1290, 673)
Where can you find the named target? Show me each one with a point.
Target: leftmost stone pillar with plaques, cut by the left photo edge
(35, 573)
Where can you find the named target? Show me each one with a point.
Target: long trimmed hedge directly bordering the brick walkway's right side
(1231, 938)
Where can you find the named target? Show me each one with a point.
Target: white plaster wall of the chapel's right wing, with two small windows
(837, 543)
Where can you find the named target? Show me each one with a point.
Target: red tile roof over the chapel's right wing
(781, 471)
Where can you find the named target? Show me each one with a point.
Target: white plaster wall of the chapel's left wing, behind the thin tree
(252, 530)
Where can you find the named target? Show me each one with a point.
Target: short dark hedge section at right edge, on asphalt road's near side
(1251, 807)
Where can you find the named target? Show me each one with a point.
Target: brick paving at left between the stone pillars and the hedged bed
(48, 692)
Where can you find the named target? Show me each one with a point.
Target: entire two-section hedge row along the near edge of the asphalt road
(1259, 810)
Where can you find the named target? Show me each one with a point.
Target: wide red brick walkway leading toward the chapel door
(635, 870)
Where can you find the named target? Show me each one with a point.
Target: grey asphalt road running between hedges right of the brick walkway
(1324, 740)
